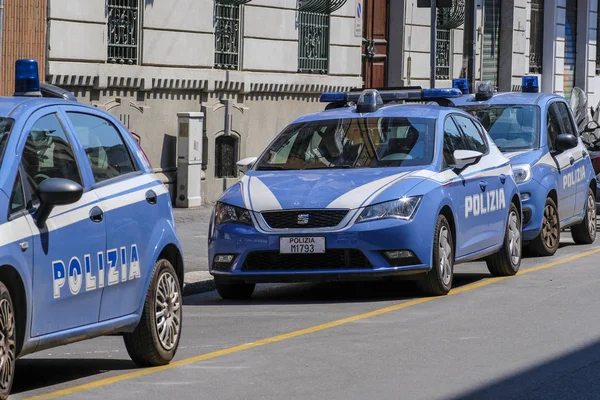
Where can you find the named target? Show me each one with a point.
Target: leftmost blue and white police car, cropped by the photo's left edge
(88, 244)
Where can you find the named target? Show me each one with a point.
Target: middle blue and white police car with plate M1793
(368, 190)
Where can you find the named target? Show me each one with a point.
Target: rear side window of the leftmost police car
(105, 149)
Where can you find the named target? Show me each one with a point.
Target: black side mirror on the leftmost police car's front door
(54, 192)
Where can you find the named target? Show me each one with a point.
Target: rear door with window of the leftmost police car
(131, 209)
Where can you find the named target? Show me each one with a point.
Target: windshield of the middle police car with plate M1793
(352, 143)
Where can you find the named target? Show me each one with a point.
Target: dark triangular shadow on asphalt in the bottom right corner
(571, 376)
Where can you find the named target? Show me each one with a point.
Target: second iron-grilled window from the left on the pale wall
(227, 35)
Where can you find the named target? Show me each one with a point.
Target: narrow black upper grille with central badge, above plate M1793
(304, 218)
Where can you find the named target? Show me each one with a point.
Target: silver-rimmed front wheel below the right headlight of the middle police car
(438, 281)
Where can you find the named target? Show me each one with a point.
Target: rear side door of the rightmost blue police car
(577, 178)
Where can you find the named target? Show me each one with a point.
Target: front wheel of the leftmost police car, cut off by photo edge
(8, 342)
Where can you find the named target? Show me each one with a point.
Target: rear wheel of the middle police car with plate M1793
(507, 260)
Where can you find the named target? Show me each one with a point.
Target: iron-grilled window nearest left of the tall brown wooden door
(313, 42)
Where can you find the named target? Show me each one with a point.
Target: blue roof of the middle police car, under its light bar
(390, 110)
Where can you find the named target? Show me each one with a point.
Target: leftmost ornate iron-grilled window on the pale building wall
(123, 31)
